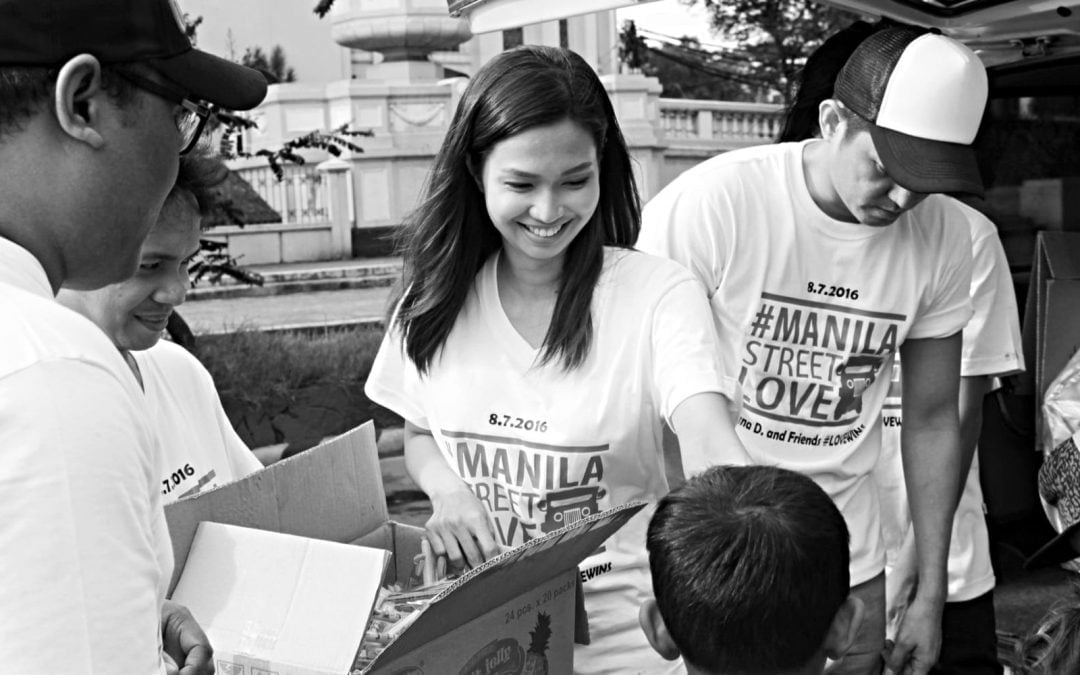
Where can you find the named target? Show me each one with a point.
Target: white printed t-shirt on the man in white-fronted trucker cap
(812, 312)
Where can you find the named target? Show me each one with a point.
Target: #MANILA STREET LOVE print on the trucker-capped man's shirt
(812, 363)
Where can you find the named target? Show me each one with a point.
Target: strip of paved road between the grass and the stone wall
(316, 308)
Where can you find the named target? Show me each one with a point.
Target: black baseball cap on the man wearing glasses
(49, 33)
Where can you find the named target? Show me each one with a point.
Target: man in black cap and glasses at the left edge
(98, 101)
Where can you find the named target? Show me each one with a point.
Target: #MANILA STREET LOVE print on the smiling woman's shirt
(530, 489)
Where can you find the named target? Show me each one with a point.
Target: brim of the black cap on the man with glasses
(214, 79)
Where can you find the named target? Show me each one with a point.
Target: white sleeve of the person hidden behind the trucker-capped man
(992, 340)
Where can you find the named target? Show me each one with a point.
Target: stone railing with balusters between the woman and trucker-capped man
(720, 124)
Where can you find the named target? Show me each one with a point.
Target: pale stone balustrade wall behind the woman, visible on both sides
(377, 188)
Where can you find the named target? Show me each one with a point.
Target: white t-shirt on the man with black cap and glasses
(85, 551)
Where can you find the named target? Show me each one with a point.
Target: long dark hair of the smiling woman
(449, 238)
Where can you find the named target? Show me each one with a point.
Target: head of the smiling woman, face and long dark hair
(534, 164)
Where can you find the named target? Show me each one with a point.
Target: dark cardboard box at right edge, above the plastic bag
(1051, 317)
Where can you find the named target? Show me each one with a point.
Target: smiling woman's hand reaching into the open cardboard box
(461, 529)
